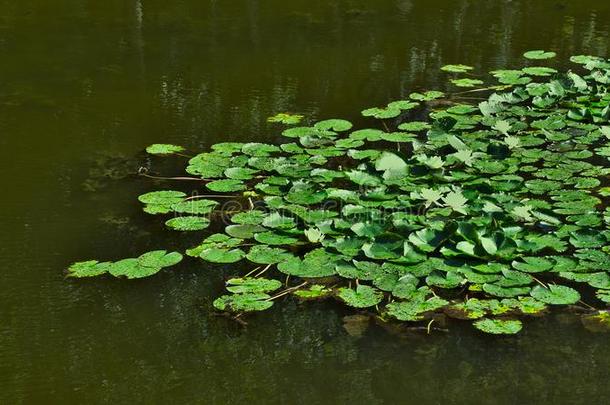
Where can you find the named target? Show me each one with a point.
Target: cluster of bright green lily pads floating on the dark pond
(486, 212)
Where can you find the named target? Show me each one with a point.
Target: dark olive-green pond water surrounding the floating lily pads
(86, 85)
